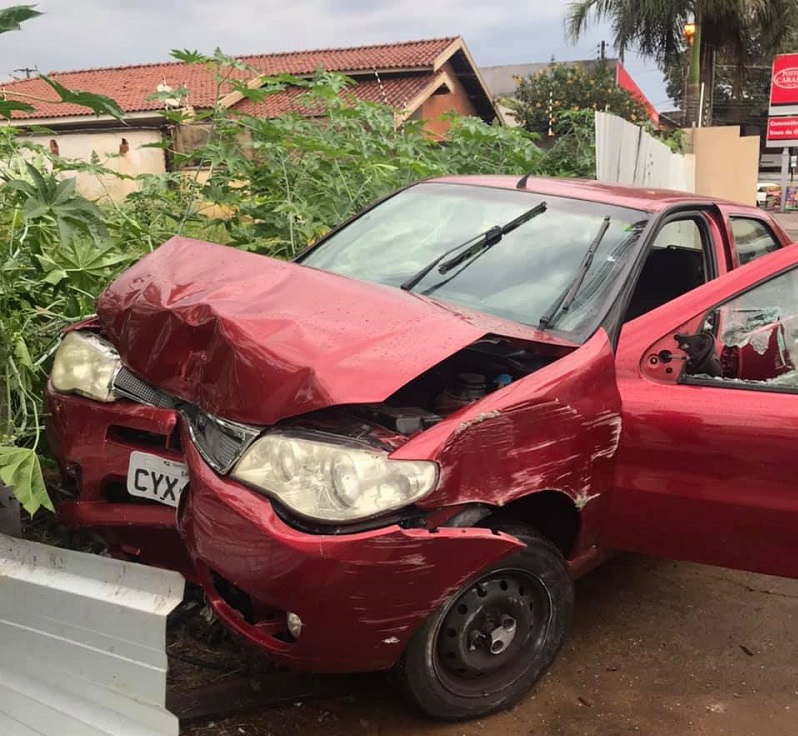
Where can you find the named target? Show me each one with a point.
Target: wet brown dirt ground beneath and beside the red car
(657, 648)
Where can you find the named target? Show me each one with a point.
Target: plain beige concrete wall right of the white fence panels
(726, 163)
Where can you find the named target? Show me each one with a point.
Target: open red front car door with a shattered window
(707, 465)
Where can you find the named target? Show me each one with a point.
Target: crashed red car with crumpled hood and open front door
(399, 450)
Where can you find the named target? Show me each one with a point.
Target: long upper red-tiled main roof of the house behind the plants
(130, 86)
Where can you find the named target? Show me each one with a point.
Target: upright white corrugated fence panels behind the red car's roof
(626, 154)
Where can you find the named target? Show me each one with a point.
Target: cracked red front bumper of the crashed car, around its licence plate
(360, 596)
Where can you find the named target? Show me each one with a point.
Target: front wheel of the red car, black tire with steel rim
(494, 639)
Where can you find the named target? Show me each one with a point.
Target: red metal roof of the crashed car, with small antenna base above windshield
(619, 195)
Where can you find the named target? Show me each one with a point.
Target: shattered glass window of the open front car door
(754, 339)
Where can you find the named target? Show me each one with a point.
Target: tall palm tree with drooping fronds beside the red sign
(657, 29)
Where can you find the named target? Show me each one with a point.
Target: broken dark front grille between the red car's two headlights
(220, 442)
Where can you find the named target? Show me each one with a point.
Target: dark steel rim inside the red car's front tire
(491, 631)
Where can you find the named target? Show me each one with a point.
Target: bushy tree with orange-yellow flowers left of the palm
(541, 99)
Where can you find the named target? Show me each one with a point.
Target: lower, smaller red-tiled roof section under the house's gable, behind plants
(397, 92)
